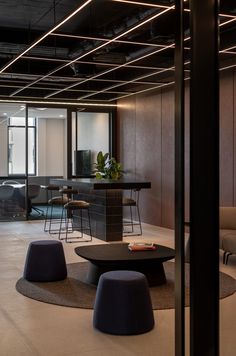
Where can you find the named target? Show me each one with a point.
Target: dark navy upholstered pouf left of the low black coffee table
(45, 262)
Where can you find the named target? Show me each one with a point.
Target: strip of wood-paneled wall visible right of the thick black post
(226, 140)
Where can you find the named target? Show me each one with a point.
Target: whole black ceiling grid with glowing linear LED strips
(144, 62)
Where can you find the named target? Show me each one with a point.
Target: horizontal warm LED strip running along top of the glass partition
(65, 103)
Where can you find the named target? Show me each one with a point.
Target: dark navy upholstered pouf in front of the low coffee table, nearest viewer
(123, 304)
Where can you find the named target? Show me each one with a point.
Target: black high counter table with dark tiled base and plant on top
(105, 196)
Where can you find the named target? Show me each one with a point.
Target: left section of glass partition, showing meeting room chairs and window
(42, 133)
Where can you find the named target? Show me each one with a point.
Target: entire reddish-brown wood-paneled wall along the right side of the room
(146, 148)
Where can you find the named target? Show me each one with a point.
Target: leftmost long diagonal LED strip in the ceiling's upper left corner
(40, 39)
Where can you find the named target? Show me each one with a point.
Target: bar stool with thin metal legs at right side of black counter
(132, 202)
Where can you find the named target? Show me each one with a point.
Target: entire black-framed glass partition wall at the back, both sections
(59, 143)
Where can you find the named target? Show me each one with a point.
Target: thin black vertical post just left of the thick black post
(179, 183)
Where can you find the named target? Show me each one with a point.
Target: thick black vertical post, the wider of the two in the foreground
(204, 180)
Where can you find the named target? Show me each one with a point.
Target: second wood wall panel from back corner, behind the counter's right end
(148, 154)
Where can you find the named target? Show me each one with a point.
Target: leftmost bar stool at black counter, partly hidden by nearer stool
(56, 202)
